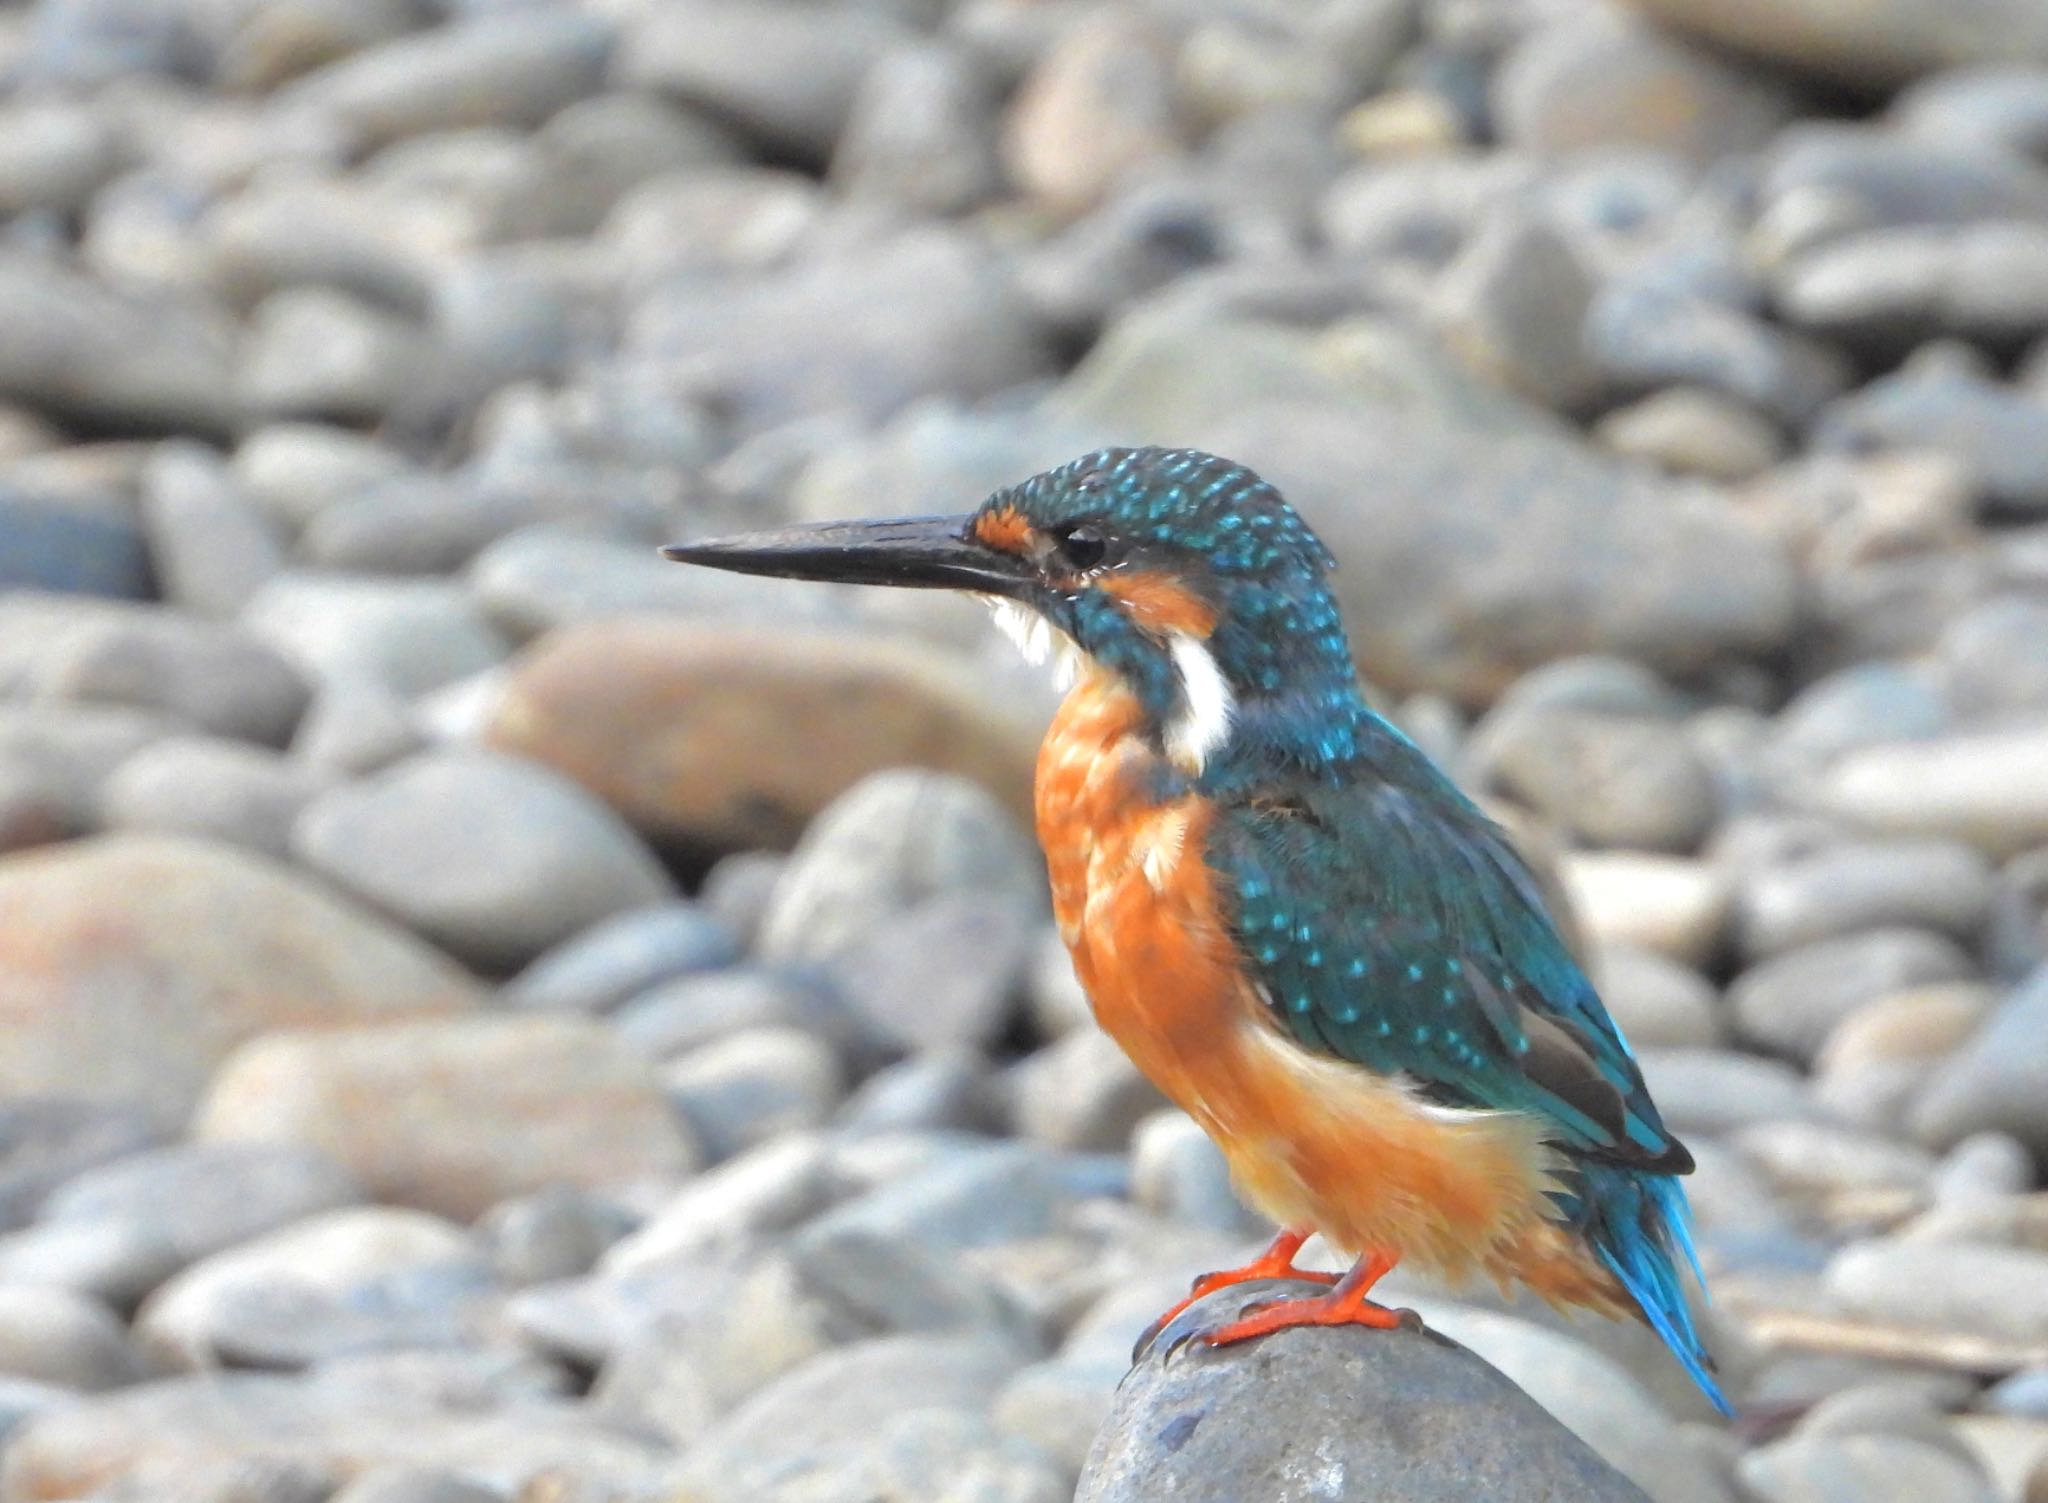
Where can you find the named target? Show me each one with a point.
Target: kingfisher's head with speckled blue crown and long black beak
(1183, 574)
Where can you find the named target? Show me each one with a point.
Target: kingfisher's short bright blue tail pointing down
(1641, 1230)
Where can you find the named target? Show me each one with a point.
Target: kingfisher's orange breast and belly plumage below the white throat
(1312, 1142)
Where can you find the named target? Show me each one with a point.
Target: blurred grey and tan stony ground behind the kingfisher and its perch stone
(488, 1015)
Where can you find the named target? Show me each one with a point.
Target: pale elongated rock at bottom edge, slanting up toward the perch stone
(812, 1418)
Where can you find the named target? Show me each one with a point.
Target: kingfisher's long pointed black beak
(921, 552)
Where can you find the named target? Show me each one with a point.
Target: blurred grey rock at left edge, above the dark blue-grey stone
(105, 359)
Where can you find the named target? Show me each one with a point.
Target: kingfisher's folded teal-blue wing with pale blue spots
(1392, 925)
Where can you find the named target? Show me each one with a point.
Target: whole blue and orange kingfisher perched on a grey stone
(1285, 914)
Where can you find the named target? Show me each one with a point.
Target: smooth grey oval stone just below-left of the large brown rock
(486, 855)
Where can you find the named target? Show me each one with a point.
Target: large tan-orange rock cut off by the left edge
(134, 963)
